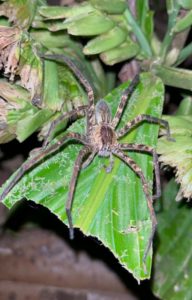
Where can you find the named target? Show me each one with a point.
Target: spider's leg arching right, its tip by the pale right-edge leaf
(141, 118)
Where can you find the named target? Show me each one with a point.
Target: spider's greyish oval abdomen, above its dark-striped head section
(102, 112)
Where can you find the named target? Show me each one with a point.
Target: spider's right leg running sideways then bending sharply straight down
(148, 149)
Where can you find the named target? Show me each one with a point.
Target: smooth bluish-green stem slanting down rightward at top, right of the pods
(138, 33)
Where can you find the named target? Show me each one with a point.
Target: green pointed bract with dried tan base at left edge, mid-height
(22, 118)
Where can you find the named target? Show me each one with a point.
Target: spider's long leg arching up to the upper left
(82, 79)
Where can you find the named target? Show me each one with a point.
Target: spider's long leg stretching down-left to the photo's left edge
(35, 159)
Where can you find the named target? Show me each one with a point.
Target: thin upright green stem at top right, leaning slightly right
(173, 10)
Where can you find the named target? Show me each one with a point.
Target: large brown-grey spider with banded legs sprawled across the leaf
(100, 139)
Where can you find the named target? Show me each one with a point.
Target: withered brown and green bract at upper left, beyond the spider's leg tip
(18, 57)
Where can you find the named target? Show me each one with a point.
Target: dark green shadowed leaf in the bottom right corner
(173, 260)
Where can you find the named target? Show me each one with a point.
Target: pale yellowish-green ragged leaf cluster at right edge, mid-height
(178, 155)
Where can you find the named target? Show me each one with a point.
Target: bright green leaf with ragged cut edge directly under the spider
(111, 207)
